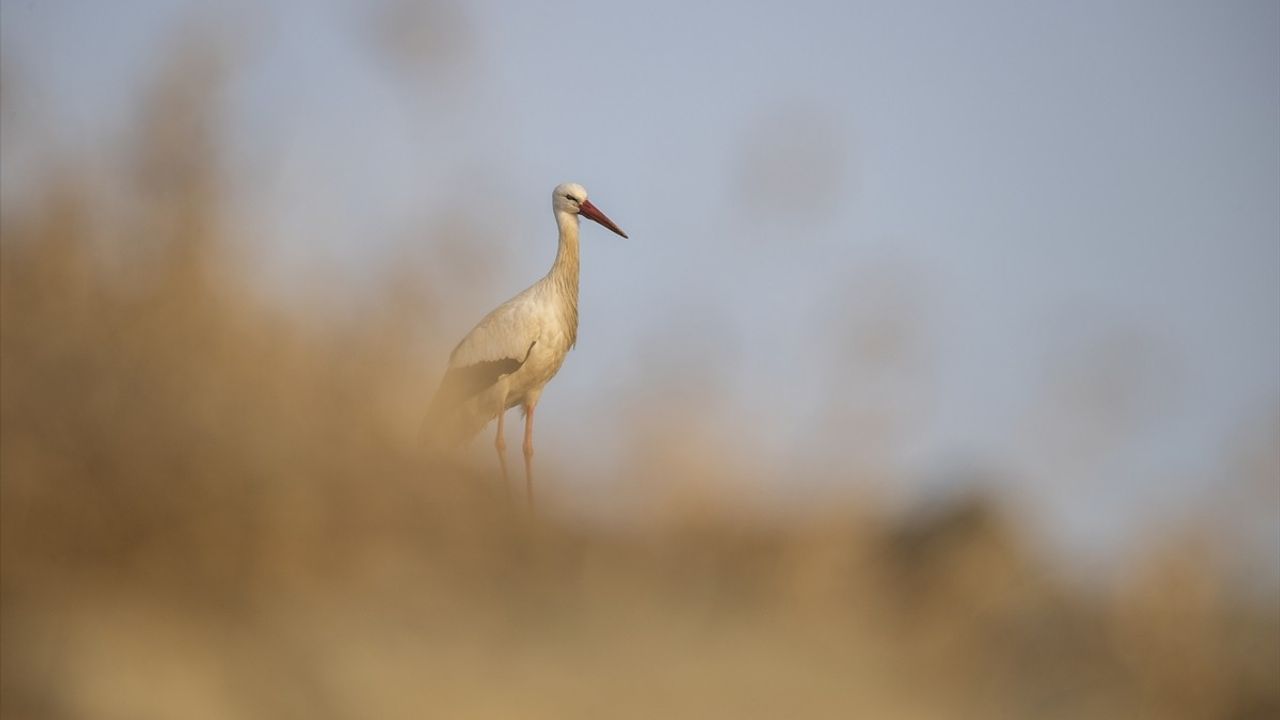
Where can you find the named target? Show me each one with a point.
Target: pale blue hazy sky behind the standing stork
(1041, 188)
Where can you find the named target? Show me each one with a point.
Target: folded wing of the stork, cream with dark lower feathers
(499, 347)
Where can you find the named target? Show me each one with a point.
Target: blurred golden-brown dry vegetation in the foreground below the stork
(211, 508)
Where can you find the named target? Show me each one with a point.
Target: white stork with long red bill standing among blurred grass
(511, 356)
